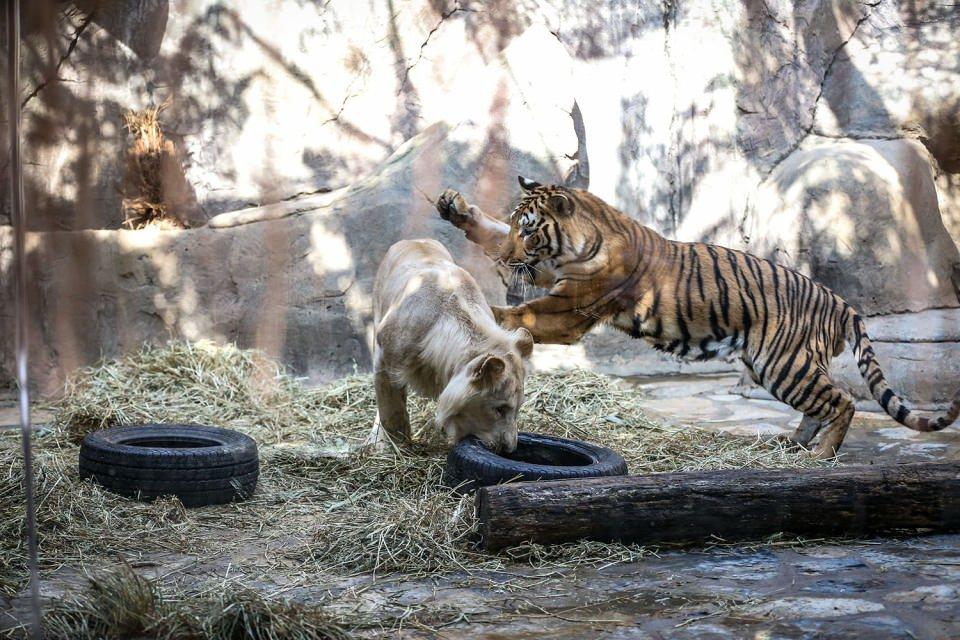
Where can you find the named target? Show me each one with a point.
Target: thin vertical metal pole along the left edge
(20, 297)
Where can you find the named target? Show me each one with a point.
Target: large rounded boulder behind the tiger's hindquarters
(860, 216)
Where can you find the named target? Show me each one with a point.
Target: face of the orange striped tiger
(548, 231)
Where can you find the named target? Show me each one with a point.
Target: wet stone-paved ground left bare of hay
(895, 588)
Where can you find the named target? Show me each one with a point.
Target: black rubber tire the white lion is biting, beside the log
(471, 465)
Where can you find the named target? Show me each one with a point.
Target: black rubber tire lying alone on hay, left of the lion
(221, 465)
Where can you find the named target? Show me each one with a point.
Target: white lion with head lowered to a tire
(435, 334)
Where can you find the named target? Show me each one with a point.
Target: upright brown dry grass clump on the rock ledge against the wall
(155, 189)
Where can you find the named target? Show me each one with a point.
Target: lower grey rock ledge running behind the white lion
(297, 286)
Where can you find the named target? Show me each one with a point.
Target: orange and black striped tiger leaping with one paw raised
(694, 300)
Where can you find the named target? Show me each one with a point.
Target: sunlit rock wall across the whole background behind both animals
(822, 134)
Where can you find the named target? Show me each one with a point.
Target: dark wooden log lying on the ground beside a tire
(732, 505)
